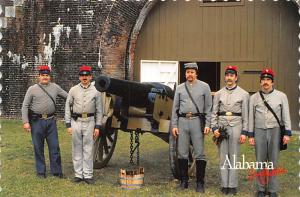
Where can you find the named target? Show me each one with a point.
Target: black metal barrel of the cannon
(133, 93)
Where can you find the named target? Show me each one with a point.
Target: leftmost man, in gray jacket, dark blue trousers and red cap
(38, 118)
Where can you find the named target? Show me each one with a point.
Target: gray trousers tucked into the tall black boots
(190, 129)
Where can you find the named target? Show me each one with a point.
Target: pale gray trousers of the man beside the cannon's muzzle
(82, 147)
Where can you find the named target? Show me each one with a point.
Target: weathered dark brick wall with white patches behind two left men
(65, 35)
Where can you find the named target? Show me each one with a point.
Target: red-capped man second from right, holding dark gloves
(230, 110)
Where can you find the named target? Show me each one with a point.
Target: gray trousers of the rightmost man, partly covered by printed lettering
(267, 150)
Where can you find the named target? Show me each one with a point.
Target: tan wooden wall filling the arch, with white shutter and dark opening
(250, 34)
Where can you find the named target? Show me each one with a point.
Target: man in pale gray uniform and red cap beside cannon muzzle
(83, 116)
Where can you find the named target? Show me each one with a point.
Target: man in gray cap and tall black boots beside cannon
(188, 122)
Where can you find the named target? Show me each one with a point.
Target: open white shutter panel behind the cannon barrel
(165, 72)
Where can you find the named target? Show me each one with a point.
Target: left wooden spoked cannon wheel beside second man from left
(105, 144)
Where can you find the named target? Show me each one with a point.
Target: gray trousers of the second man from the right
(228, 149)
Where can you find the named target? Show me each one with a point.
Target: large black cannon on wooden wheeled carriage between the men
(136, 108)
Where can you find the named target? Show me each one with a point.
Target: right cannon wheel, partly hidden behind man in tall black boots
(173, 157)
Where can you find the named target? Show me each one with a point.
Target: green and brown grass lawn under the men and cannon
(18, 171)
